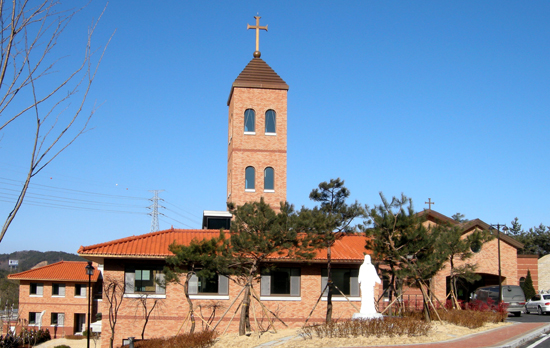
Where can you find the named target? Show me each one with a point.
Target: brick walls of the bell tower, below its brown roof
(259, 150)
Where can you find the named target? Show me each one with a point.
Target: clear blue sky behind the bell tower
(441, 100)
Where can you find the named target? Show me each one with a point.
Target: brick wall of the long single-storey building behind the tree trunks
(171, 311)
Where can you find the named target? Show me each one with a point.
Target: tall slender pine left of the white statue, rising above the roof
(330, 221)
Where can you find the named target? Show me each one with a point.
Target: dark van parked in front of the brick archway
(512, 296)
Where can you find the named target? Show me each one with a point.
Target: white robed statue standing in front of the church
(367, 279)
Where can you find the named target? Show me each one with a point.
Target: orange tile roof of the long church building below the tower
(350, 248)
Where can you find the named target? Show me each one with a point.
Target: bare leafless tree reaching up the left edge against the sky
(30, 31)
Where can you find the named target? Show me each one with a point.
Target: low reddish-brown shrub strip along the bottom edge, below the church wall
(203, 339)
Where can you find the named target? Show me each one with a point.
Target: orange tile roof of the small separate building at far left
(59, 271)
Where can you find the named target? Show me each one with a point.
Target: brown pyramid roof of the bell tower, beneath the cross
(257, 74)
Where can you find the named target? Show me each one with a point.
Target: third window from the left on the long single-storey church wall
(282, 281)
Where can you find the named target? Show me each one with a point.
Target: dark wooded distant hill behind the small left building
(30, 258)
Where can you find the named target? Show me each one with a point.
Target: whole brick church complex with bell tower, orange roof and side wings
(256, 168)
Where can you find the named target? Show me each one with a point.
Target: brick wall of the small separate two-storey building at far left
(68, 304)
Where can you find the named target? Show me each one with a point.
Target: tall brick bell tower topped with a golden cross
(256, 154)
